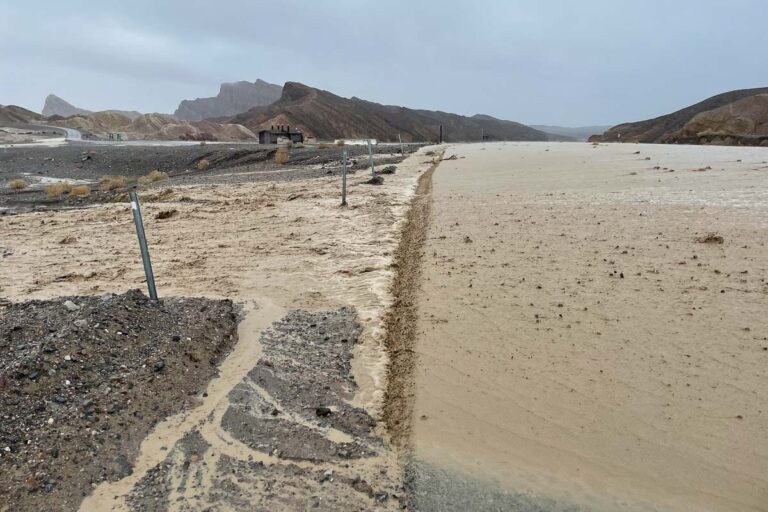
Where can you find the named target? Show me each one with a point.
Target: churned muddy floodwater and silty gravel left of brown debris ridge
(292, 421)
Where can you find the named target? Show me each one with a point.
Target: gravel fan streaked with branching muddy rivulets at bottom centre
(288, 433)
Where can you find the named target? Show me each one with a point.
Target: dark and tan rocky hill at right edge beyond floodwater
(734, 117)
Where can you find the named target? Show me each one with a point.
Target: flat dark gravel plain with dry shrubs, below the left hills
(87, 164)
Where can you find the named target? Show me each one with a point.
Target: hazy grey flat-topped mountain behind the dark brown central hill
(233, 98)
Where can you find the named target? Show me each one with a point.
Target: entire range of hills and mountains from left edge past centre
(242, 108)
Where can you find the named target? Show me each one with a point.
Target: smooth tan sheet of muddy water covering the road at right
(582, 344)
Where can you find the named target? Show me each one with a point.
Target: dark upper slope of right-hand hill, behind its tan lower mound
(658, 129)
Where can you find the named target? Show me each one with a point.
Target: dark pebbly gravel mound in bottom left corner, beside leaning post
(84, 379)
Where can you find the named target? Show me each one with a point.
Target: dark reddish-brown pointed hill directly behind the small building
(327, 116)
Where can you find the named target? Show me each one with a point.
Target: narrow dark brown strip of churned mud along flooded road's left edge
(400, 320)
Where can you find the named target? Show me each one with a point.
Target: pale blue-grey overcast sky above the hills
(538, 62)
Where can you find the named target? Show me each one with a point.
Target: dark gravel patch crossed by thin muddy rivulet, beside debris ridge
(306, 368)
